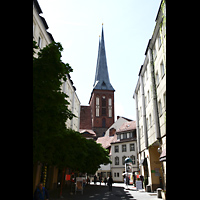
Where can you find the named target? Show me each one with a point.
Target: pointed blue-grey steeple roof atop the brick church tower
(102, 81)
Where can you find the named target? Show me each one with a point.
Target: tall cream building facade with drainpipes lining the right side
(150, 99)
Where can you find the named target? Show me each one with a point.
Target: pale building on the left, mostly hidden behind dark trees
(43, 38)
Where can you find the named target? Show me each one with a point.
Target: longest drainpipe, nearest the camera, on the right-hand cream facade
(154, 96)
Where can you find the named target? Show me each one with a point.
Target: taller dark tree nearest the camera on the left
(50, 105)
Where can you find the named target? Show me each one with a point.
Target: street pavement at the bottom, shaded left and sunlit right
(97, 192)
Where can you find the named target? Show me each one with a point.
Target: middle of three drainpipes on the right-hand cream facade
(144, 113)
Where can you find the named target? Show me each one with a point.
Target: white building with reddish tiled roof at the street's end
(125, 146)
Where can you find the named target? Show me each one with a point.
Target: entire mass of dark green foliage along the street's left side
(53, 143)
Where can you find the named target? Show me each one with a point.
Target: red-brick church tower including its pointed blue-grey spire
(102, 96)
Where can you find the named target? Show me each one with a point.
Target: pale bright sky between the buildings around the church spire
(128, 25)
